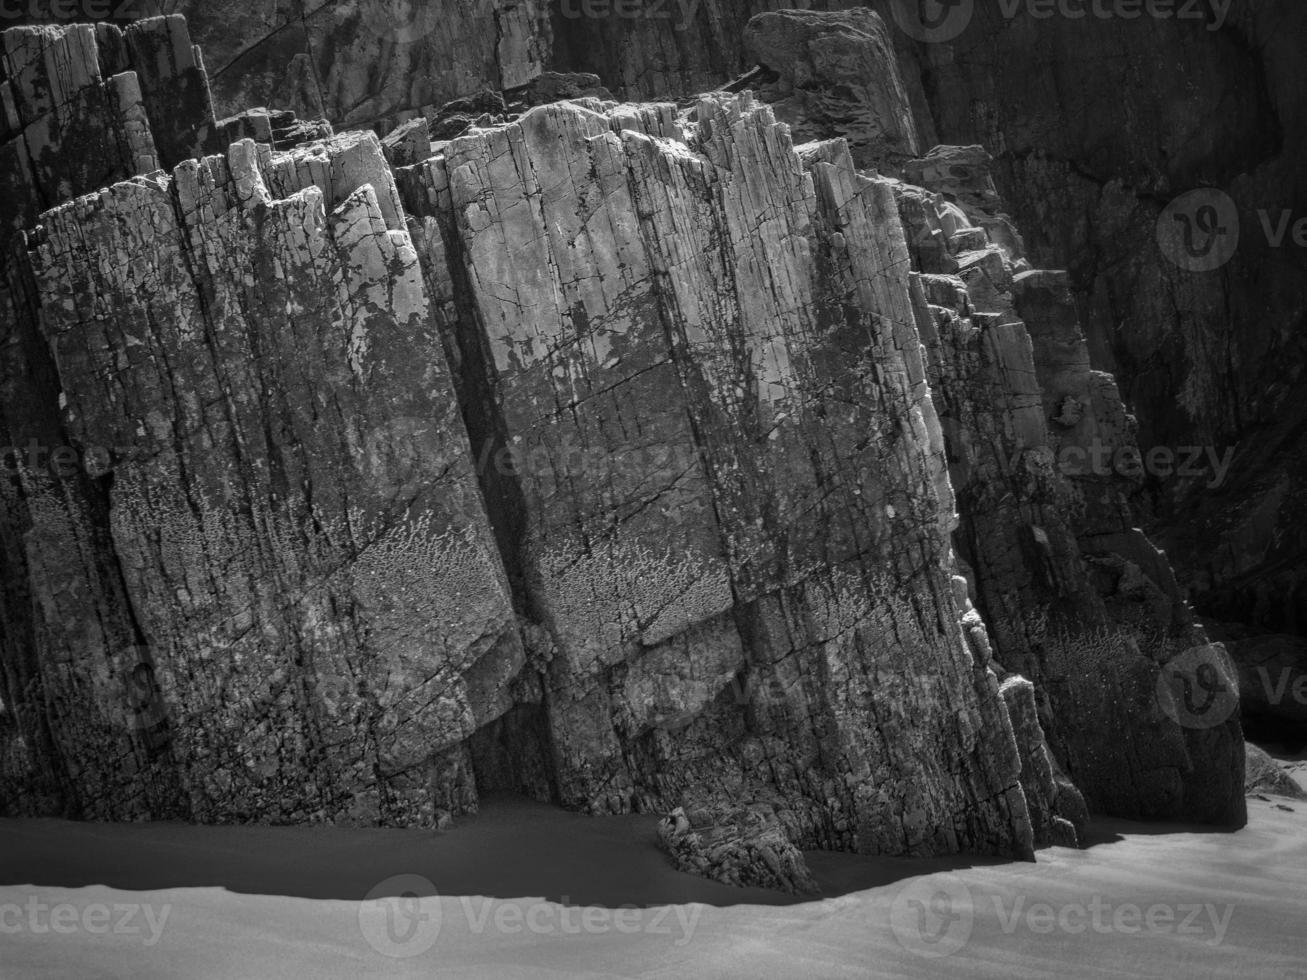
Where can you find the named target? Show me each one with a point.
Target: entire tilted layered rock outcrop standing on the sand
(611, 454)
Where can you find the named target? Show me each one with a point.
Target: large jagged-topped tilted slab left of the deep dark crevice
(295, 512)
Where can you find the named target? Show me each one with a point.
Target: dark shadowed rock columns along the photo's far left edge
(78, 110)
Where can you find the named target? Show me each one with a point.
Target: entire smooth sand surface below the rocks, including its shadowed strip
(574, 897)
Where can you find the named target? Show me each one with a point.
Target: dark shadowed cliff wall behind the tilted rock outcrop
(1099, 126)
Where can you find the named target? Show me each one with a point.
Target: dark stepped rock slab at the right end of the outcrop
(1079, 600)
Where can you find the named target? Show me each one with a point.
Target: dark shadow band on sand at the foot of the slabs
(513, 849)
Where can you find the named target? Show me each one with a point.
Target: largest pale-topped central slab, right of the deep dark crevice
(727, 493)
